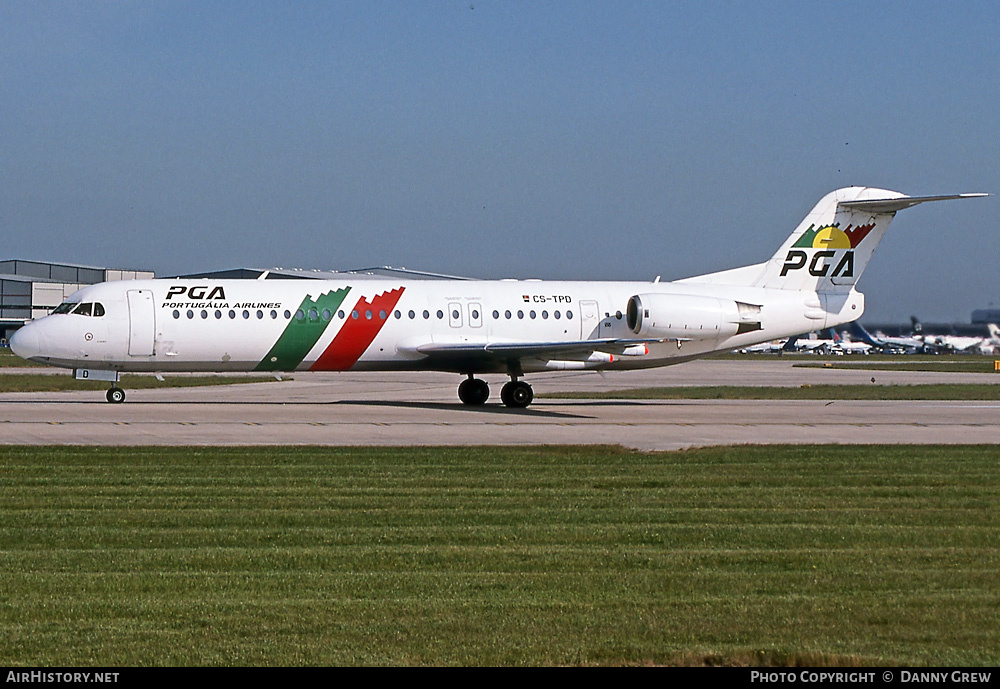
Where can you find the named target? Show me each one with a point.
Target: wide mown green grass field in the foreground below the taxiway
(288, 556)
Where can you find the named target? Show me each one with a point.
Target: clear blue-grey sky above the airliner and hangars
(563, 140)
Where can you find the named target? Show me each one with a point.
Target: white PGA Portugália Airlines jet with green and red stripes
(470, 327)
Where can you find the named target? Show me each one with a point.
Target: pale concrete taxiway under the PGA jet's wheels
(423, 409)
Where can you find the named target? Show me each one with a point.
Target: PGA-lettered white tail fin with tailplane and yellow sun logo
(830, 248)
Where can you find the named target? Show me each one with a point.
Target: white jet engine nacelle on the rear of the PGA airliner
(689, 317)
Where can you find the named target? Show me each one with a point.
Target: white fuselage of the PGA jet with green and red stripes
(374, 324)
